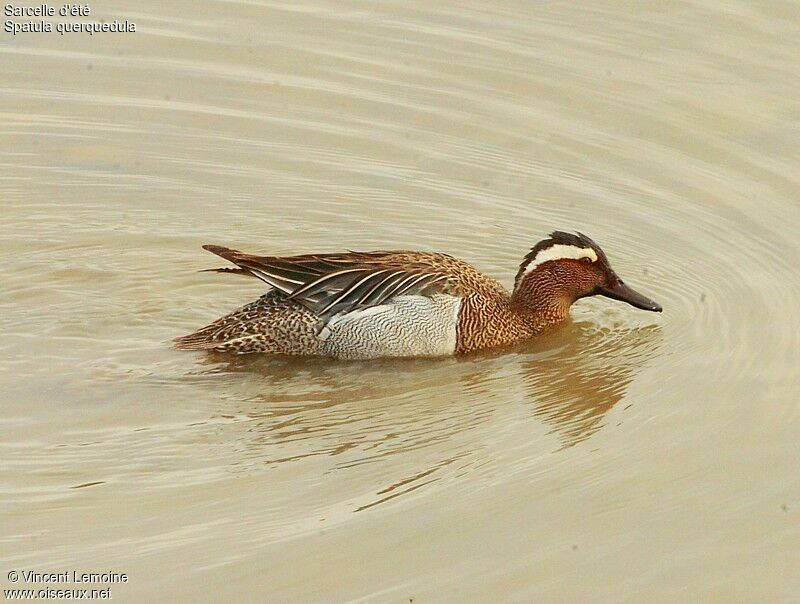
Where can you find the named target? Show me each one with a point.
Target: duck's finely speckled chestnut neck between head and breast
(540, 301)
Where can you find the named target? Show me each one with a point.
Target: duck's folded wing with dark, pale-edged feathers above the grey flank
(328, 284)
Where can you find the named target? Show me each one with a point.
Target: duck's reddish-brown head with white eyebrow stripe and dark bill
(566, 267)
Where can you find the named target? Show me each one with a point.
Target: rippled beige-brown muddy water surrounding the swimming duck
(626, 456)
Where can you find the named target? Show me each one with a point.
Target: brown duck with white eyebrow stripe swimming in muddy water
(365, 305)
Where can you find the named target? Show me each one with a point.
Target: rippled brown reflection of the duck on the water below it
(434, 418)
